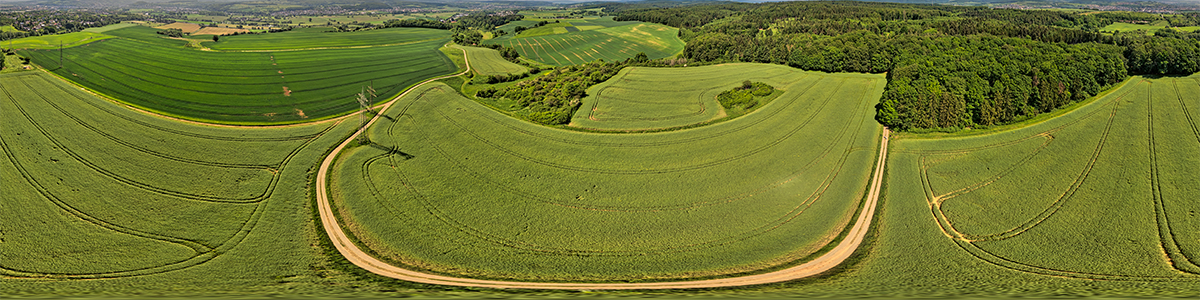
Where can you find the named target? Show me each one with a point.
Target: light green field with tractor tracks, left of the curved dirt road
(93, 190)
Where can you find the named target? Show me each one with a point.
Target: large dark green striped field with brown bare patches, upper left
(164, 76)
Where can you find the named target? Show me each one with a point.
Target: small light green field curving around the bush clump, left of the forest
(647, 98)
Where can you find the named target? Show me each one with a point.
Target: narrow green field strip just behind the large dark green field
(319, 38)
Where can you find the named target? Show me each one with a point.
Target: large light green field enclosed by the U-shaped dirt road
(454, 188)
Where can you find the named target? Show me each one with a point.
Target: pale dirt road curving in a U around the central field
(361, 259)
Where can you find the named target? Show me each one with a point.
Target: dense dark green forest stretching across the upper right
(949, 67)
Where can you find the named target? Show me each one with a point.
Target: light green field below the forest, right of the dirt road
(1106, 193)
